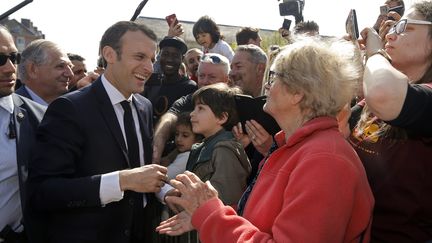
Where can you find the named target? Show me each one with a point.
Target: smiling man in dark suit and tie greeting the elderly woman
(83, 176)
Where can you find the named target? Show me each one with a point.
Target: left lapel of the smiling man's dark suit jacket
(108, 113)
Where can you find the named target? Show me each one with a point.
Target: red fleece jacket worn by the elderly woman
(313, 188)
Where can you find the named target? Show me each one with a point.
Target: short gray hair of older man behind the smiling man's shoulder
(36, 52)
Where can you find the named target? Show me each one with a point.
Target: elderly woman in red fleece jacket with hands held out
(312, 186)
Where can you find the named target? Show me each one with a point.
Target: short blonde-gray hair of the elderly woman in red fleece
(327, 72)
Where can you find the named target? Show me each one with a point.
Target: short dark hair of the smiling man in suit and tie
(112, 36)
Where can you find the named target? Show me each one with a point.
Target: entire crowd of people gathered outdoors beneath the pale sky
(152, 146)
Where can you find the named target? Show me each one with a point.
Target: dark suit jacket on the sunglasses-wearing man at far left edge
(27, 116)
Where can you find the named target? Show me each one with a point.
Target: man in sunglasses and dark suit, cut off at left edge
(19, 118)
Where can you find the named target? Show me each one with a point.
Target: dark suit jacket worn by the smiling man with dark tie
(78, 140)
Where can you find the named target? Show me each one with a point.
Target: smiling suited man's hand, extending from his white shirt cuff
(147, 178)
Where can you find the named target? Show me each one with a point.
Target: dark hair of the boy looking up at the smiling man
(220, 98)
